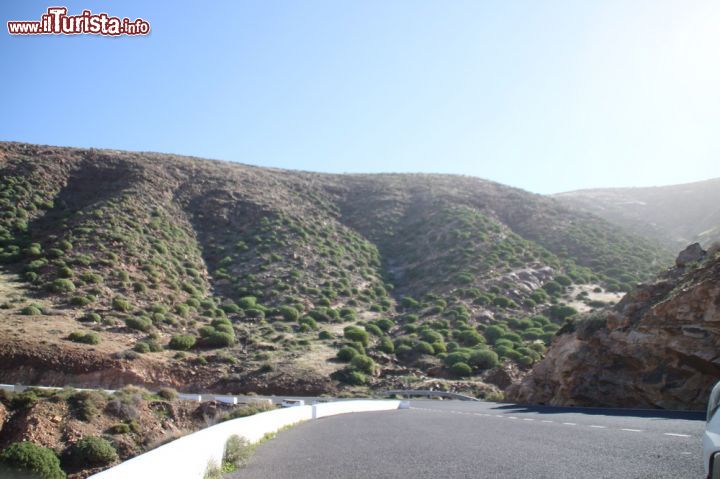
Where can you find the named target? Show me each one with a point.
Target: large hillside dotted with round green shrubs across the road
(122, 267)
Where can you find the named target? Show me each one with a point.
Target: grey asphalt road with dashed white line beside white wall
(454, 439)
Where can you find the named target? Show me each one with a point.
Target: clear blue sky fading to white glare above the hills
(544, 95)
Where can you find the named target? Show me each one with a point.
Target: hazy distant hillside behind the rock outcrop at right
(674, 215)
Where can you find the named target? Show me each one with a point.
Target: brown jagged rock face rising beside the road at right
(657, 348)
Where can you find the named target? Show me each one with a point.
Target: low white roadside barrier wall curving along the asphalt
(188, 457)
